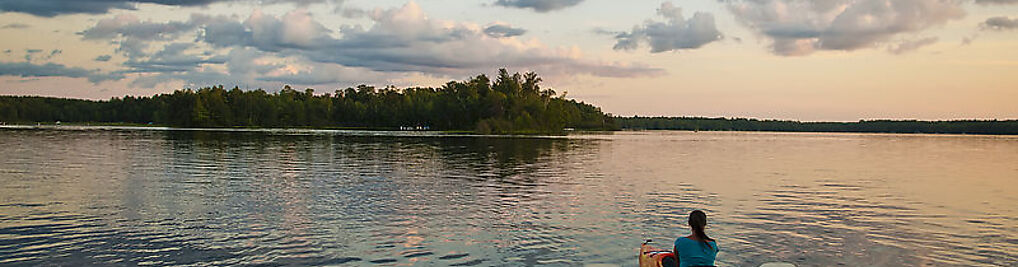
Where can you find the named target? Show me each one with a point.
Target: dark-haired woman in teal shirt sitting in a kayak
(698, 249)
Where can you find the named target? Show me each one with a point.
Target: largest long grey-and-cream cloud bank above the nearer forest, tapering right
(295, 48)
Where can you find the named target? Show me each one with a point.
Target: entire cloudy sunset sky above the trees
(839, 61)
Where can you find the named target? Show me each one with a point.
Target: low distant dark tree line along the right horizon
(900, 127)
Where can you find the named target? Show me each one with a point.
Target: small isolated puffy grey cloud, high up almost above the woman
(675, 34)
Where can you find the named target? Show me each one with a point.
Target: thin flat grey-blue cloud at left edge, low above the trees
(28, 70)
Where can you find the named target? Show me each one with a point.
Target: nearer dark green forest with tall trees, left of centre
(513, 103)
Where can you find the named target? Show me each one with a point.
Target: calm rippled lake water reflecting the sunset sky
(145, 197)
